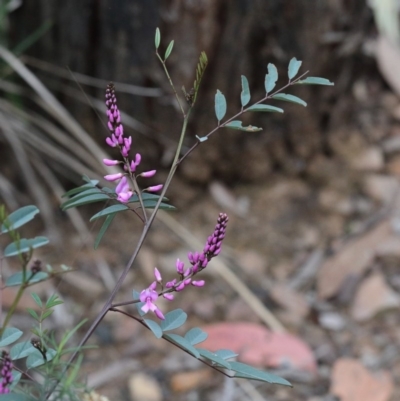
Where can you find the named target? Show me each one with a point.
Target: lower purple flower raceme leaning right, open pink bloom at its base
(198, 261)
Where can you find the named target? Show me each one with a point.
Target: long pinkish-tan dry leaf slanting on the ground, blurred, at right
(353, 259)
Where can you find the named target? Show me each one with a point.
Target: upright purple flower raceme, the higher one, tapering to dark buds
(117, 140)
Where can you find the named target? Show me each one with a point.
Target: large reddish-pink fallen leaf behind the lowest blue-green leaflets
(258, 346)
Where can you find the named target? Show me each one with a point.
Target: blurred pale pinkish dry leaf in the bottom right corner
(352, 382)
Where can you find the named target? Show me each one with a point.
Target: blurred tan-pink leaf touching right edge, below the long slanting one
(373, 296)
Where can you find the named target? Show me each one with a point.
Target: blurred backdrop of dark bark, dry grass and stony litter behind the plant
(311, 258)
